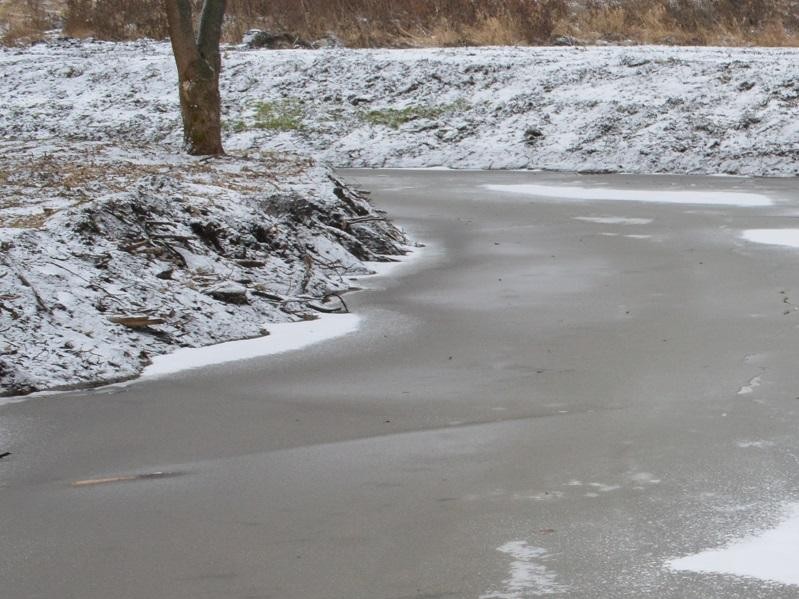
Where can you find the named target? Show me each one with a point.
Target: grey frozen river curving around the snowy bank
(583, 387)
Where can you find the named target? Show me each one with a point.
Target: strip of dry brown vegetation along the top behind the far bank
(370, 23)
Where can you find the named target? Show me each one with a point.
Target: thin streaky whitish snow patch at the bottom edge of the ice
(528, 577)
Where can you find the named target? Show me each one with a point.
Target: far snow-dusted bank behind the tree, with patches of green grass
(631, 109)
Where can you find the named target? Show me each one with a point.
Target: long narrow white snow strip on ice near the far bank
(713, 198)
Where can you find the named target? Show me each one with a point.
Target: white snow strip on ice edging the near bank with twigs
(283, 337)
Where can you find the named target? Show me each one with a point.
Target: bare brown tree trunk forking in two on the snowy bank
(199, 63)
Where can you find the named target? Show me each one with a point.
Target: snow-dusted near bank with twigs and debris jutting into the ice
(111, 255)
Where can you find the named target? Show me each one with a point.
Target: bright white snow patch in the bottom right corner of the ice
(771, 555)
